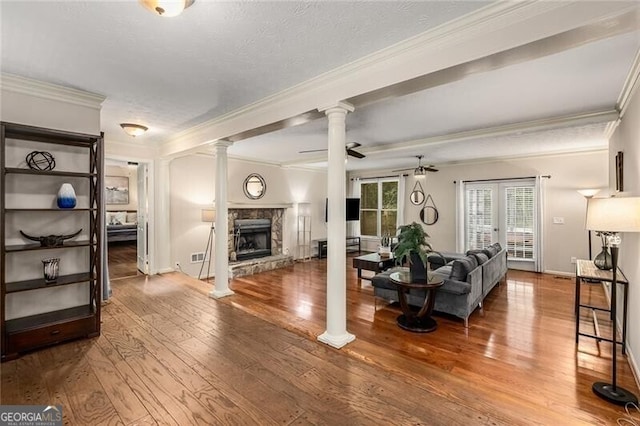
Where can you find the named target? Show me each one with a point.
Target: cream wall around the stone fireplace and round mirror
(193, 188)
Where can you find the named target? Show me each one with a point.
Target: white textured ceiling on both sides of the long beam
(172, 74)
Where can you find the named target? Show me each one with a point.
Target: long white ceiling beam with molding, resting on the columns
(497, 27)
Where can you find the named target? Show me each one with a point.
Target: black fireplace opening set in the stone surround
(252, 238)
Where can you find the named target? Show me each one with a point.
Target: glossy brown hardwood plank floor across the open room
(168, 354)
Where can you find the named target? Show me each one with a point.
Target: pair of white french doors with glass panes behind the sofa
(504, 212)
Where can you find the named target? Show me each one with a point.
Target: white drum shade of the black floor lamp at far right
(613, 214)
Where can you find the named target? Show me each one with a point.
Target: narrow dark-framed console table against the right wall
(586, 271)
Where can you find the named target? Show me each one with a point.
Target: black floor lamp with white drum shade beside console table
(613, 215)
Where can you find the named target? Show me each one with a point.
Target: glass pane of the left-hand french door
(479, 218)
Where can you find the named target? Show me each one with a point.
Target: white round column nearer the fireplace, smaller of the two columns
(221, 288)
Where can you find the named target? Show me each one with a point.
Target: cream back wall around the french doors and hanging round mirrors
(568, 174)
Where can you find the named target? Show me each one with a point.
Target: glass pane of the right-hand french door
(519, 222)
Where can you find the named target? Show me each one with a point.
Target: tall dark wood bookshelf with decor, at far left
(27, 333)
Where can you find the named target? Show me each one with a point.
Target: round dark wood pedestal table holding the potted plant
(418, 321)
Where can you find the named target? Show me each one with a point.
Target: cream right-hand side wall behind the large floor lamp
(626, 139)
